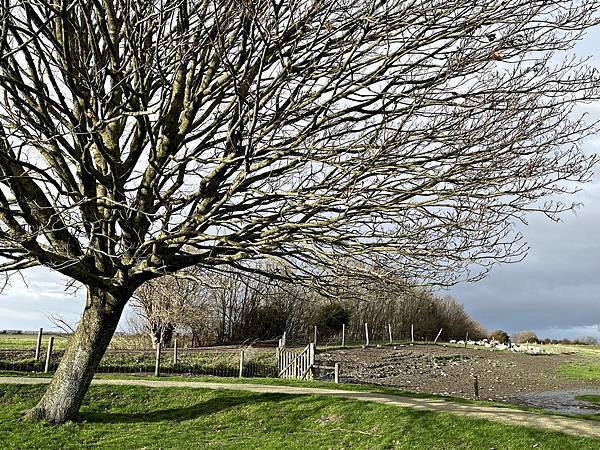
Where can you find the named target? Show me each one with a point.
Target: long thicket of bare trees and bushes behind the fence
(236, 308)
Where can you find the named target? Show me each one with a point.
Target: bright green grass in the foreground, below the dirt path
(133, 417)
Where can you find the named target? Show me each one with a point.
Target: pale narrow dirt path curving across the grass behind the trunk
(508, 416)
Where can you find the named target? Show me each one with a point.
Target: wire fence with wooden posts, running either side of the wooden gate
(258, 360)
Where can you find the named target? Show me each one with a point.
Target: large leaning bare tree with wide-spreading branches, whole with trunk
(138, 138)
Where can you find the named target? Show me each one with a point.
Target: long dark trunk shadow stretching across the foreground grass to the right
(192, 412)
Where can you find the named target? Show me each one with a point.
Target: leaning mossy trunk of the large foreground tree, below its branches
(63, 398)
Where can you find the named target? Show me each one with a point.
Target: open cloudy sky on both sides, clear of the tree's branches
(554, 292)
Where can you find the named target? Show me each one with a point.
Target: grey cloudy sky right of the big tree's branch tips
(556, 290)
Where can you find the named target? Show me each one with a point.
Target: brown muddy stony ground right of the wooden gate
(502, 375)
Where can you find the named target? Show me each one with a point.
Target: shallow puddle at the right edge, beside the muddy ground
(561, 401)
